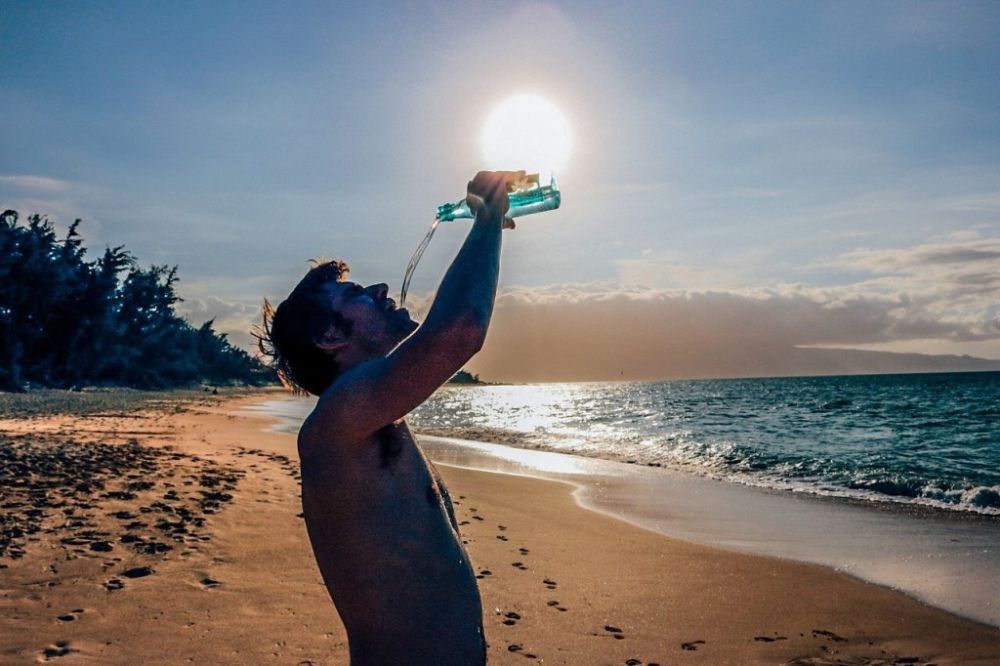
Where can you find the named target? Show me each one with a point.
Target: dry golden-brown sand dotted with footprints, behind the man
(172, 534)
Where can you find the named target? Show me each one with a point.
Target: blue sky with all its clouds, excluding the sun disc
(747, 180)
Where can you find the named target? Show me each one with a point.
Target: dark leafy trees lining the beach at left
(66, 322)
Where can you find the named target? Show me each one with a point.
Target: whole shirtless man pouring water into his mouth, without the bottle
(380, 520)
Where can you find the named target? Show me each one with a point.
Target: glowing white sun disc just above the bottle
(526, 132)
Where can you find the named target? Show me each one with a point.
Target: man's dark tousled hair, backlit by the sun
(289, 332)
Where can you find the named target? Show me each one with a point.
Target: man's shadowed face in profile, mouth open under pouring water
(370, 321)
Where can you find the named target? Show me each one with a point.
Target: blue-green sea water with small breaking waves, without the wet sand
(931, 439)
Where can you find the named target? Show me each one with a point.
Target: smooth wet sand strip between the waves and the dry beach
(946, 558)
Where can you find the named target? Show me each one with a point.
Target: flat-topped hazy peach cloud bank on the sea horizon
(600, 332)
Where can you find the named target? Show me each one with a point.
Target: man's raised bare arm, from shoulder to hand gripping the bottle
(378, 392)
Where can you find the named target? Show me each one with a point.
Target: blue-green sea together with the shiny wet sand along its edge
(828, 470)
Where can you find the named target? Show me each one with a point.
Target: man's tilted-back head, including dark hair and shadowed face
(327, 325)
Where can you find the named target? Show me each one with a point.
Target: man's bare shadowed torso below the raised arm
(385, 537)
